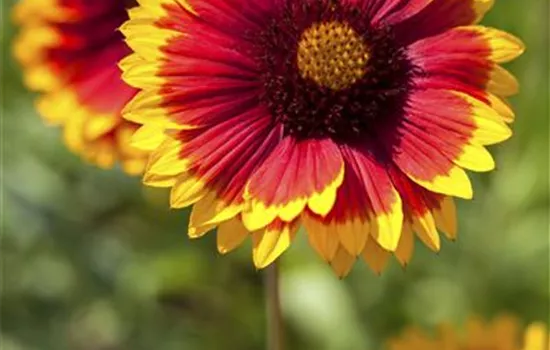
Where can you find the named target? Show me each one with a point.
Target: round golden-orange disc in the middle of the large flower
(332, 54)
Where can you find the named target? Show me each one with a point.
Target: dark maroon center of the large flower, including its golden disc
(327, 72)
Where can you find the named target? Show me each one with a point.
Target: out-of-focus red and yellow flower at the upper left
(69, 50)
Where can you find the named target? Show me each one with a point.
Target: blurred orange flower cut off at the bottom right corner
(502, 334)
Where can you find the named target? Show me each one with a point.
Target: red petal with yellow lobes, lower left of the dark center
(217, 160)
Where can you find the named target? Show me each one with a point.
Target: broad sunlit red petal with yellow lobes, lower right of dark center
(433, 143)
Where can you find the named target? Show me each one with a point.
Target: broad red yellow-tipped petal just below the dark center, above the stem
(296, 174)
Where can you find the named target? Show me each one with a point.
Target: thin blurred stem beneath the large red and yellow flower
(275, 327)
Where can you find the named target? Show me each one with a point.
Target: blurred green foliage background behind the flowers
(91, 260)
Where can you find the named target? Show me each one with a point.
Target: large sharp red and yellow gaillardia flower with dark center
(353, 118)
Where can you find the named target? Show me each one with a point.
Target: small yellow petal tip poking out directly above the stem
(269, 244)
